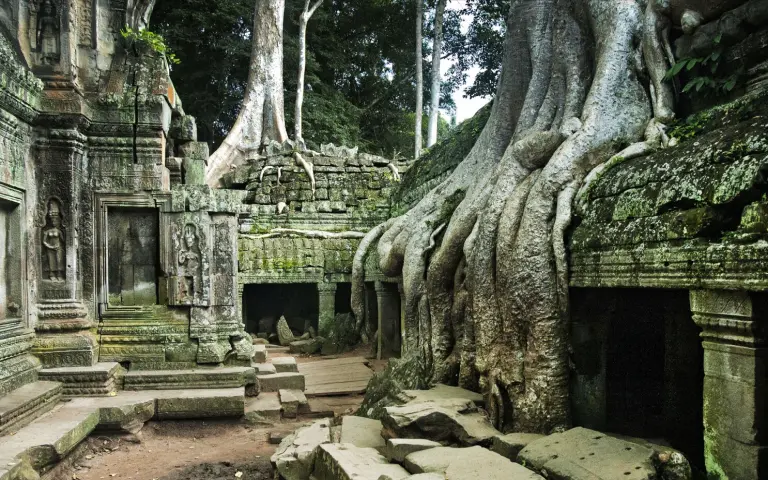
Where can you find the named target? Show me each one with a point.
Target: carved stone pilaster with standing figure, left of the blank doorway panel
(64, 330)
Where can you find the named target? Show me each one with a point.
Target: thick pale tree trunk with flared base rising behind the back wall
(261, 117)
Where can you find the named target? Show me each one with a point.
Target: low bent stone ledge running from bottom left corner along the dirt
(50, 438)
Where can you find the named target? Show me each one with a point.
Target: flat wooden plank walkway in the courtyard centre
(341, 376)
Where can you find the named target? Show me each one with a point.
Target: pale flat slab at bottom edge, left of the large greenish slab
(467, 464)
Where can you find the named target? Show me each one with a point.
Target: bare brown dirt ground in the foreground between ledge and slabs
(186, 450)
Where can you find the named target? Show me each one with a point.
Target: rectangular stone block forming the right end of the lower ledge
(229, 402)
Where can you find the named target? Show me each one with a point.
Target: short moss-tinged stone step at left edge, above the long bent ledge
(23, 405)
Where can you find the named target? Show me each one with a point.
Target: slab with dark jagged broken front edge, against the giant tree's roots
(448, 420)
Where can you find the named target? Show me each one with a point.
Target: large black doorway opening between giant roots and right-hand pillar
(639, 366)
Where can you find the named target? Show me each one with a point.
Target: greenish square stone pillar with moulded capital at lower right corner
(735, 382)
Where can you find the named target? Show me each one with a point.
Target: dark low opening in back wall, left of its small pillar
(264, 304)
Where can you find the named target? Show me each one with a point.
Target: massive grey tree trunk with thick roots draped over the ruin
(482, 255)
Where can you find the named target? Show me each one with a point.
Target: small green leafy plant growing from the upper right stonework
(705, 73)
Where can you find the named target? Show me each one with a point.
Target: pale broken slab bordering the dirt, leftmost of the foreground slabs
(295, 457)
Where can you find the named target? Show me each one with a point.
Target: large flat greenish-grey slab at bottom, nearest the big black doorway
(583, 454)
